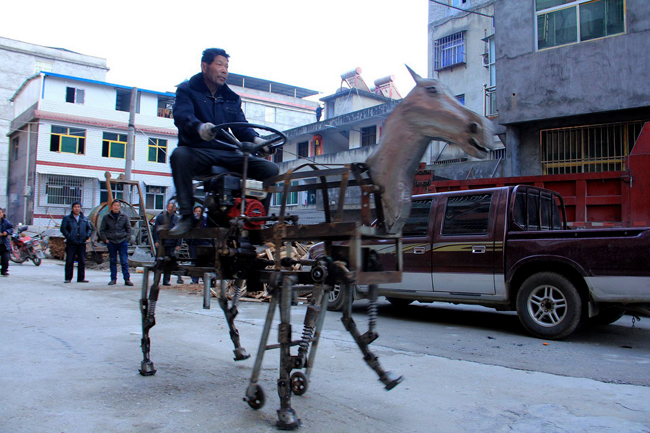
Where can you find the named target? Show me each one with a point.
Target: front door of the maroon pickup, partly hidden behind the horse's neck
(416, 249)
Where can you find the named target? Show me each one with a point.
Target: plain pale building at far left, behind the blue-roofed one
(20, 60)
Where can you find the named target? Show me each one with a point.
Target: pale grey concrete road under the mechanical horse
(70, 354)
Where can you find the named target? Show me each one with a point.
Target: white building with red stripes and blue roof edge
(74, 131)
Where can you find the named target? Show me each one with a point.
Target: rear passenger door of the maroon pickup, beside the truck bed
(465, 250)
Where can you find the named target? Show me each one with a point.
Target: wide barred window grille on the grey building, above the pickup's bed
(588, 149)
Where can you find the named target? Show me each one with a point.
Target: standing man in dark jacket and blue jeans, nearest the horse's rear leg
(115, 231)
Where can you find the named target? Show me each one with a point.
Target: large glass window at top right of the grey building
(561, 22)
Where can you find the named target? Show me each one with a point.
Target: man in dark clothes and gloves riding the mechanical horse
(201, 103)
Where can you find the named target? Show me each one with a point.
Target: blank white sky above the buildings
(157, 44)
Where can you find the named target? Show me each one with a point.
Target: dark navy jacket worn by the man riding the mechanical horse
(195, 105)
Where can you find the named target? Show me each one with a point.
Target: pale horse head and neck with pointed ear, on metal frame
(428, 112)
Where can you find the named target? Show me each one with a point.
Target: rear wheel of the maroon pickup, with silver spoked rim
(549, 306)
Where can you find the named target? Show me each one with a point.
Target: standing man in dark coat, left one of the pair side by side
(76, 229)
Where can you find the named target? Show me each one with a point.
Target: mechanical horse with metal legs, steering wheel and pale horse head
(384, 184)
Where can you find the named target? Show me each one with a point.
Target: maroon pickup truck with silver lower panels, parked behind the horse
(509, 248)
